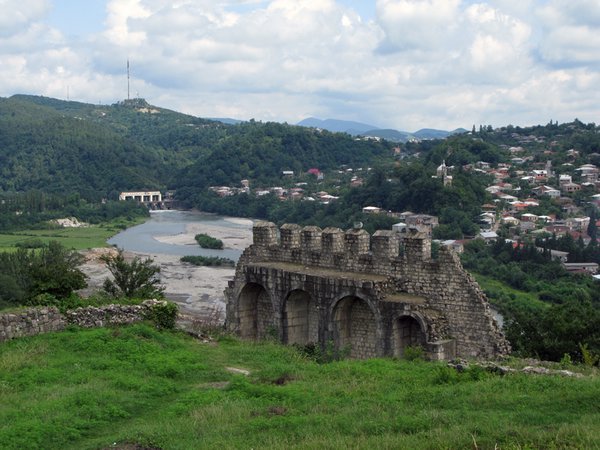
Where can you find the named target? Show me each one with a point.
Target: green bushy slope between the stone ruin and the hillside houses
(548, 312)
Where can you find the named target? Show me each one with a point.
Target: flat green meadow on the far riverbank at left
(77, 238)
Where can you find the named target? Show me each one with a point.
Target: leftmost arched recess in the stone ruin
(255, 312)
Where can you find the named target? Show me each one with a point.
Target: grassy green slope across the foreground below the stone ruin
(91, 388)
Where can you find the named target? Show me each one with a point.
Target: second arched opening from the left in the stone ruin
(300, 320)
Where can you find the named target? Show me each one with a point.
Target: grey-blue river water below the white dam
(140, 239)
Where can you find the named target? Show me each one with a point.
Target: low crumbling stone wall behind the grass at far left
(33, 321)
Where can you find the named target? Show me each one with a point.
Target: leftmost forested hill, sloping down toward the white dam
(42, 148)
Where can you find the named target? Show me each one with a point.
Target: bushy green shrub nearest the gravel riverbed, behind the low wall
(135, 279)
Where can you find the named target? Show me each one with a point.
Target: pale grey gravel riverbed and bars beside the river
(197, 290)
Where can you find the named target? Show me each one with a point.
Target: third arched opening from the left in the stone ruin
(355, 328)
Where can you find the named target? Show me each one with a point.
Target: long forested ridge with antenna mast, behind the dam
(98, 150)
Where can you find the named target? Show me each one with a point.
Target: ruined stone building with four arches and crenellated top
(371, 295)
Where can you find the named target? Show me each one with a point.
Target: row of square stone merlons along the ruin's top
(354, 249)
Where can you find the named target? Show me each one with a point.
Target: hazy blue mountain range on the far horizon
(363, 129)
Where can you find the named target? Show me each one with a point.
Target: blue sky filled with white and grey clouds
(404, 64)
